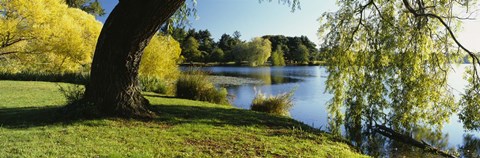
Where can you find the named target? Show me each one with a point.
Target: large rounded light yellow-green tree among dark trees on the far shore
(255, 52)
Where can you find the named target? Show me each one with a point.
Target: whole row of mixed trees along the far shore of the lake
(199, 46)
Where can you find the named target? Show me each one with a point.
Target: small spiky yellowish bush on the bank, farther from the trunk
(278, 105)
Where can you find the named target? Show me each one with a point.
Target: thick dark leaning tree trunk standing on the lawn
(113, 86)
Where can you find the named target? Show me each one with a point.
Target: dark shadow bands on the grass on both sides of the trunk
(26, 117)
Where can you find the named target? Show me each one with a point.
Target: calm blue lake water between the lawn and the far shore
(310, 102)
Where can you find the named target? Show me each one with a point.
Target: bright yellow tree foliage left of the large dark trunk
(46, 36)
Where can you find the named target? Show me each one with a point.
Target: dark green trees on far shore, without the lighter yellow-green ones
(198, 46)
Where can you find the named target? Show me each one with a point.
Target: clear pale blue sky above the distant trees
(255, 19)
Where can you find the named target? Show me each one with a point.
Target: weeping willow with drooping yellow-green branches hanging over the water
(389, 62)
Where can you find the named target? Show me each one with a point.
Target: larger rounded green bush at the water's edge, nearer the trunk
(195, 85)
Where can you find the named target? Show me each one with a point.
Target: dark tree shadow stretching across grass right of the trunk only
(179, 114)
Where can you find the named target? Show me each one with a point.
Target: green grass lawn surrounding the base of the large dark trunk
(184, 128)
